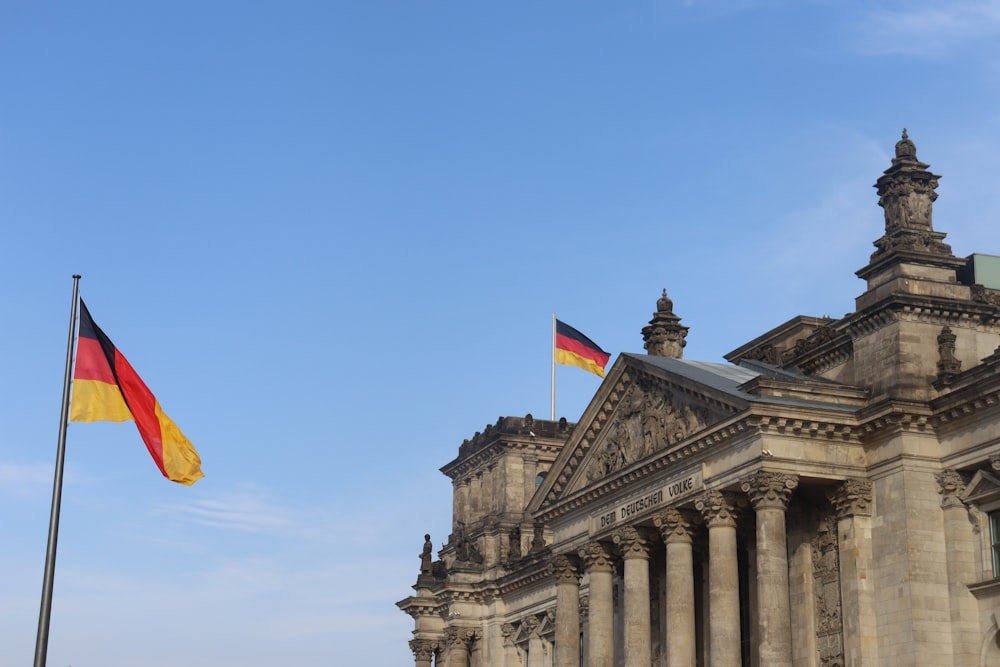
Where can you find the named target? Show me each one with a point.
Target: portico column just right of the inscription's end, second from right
(719, 509)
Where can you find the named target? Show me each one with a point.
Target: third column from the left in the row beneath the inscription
(634, 545)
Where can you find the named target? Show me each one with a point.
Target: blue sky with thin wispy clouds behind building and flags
(331, 235)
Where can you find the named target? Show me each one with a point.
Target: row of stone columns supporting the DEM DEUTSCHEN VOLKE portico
(715, 512)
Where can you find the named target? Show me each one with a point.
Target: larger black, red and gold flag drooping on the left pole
(107, 388)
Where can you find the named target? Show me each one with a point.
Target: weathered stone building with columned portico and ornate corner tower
(830, 496)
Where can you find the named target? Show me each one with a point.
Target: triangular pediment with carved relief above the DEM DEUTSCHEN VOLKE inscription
(645, 406)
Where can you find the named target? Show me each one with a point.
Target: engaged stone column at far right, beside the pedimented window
(960, 538)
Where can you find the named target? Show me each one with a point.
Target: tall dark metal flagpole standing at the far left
(45, 613)
